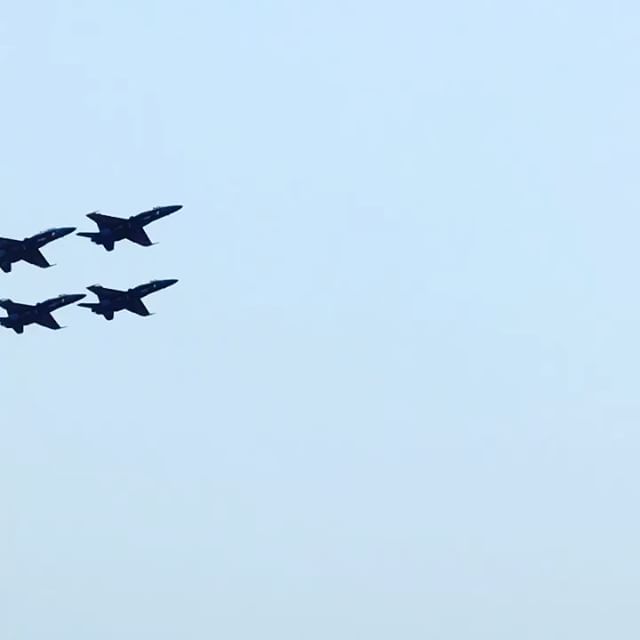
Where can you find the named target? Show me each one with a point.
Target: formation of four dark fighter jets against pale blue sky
(110, 230)
